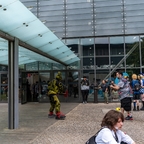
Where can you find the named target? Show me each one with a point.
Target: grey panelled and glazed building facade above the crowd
(107, 35)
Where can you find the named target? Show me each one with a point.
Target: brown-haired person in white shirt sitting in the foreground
(111, 132)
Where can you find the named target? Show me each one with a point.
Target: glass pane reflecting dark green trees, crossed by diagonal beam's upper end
(132, 47)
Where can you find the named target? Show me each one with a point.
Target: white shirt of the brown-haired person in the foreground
(107, 136)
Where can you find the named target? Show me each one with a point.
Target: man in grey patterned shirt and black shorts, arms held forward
(124, 90)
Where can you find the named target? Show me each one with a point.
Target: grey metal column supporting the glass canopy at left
(13, 77)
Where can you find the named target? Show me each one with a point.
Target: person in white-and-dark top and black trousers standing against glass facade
(85, 89)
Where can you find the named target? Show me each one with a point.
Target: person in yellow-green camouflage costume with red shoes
(55, 87)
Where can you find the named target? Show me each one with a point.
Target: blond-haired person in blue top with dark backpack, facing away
(135, 85)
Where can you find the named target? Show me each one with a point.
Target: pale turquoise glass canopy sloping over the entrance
(17, 21)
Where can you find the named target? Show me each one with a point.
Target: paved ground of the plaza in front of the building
(82, 121)
